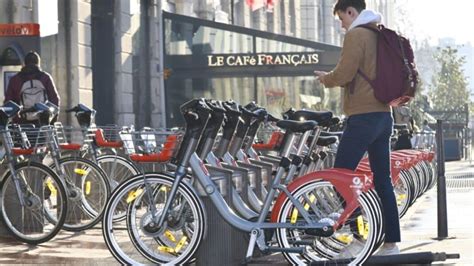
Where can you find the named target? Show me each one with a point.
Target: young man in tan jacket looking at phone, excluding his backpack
(370, 121)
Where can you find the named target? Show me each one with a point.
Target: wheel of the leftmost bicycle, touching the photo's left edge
(45, 198)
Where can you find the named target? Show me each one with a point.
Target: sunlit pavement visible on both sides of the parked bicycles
(419, 228)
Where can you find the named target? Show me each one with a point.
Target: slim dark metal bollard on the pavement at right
(441, 185)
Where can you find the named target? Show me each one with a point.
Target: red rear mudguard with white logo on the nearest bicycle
(349, 184)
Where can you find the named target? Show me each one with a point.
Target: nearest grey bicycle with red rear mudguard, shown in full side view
(170, 230)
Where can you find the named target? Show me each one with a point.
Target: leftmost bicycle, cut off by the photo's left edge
(33, 198)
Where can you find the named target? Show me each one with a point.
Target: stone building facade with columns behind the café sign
(110, 54)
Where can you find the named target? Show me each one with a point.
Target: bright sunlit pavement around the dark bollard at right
(419, 225)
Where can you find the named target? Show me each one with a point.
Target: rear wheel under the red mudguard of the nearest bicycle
(352, 243)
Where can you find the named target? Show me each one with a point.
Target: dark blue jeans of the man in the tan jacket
(371, 132)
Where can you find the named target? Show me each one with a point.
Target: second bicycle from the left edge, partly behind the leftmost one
(86, 184)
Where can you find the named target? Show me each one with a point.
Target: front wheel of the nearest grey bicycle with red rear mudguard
(135, 240)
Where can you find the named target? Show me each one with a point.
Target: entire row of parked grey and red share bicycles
(147, 184)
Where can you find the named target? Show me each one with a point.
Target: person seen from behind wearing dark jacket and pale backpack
(31, 85)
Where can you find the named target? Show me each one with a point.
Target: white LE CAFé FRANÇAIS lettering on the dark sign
(267, 59)
